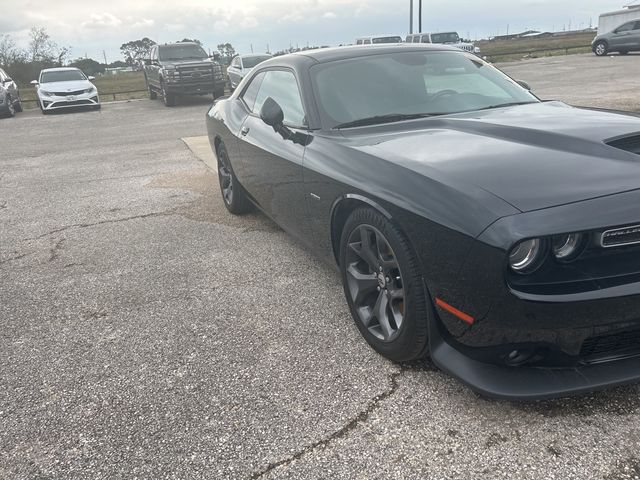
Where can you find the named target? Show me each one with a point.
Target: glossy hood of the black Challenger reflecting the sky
(531, 156)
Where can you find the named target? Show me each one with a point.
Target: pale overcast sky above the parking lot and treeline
(91, 26)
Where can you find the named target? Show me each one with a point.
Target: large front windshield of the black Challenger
(423, 83)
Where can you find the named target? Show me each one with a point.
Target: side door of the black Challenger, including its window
(272, 165)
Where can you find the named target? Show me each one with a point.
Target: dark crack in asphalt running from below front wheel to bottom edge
(361, 417)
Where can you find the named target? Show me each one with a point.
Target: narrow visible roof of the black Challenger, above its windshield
(354, 51)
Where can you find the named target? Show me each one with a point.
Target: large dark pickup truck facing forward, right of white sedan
(182, 68)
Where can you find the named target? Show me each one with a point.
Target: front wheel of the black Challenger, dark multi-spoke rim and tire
(383, 279)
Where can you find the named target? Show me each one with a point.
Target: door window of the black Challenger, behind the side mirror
(282, 86)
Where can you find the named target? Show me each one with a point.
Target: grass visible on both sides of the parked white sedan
(109, 87)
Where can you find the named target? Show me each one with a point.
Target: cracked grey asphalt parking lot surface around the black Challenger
(146, 333)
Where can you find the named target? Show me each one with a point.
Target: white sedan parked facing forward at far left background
(67, 87)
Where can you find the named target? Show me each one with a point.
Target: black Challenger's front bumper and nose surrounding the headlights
(541, 341)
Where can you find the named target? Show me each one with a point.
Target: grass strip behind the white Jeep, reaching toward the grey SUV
(519, 48)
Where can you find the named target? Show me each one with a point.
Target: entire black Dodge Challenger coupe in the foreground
(470, 221)
